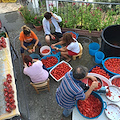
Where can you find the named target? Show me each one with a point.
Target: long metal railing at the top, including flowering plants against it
(85, 15)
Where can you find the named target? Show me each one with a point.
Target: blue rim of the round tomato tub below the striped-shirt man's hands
(104, 105)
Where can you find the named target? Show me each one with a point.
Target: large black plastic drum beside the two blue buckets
(110, 44)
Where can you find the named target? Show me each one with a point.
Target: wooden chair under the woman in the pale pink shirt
(41, 86)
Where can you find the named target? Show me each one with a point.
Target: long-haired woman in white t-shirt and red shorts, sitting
(71, 48)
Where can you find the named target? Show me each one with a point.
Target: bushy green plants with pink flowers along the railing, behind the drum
(86, 16)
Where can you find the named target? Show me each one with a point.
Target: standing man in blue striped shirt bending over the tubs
(71, 89)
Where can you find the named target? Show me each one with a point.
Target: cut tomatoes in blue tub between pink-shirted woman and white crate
(49, 61)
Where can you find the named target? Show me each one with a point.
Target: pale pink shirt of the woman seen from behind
(36, 72)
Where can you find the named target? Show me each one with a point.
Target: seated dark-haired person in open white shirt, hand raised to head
(48, 20)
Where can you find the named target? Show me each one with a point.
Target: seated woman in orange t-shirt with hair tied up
(28, 37)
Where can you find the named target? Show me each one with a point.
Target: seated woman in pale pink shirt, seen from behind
(34, 69)
